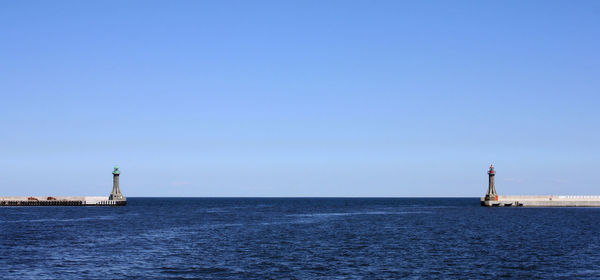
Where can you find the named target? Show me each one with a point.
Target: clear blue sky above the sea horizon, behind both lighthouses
(299, 98)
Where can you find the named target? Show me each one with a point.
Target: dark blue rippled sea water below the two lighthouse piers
(298, 238)
